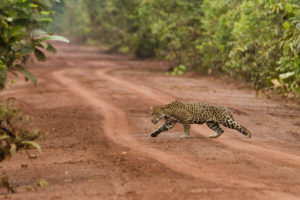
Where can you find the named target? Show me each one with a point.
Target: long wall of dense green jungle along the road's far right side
(258, 40)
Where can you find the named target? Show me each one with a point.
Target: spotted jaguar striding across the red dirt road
(195, 113)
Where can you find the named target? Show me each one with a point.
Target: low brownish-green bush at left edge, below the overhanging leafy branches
(14, 134)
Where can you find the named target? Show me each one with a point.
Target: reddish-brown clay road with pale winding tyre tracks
(94, 111)
